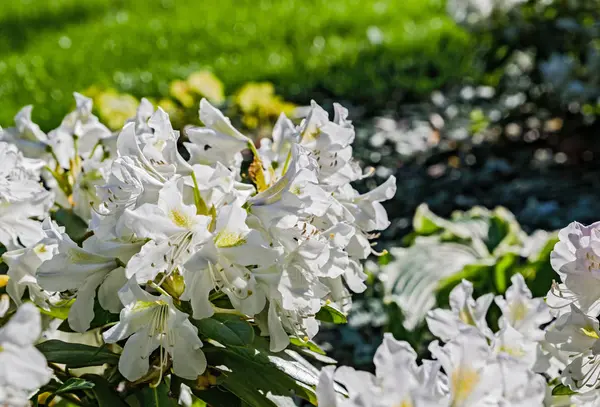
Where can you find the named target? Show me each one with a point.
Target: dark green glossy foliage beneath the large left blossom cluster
(242, 371)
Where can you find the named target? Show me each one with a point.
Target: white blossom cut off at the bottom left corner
(23, 368)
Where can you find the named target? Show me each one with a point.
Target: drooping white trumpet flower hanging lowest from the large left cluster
(150, 322)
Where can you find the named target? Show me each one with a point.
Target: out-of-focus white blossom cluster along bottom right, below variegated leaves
(472, 367)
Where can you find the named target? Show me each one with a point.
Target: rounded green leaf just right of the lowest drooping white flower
(226, 329)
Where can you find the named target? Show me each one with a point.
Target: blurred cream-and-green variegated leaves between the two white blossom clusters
(485, 247)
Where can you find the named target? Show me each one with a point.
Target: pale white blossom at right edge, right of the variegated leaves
(576, 259)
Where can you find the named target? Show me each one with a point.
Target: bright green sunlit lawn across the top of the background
(307, 48)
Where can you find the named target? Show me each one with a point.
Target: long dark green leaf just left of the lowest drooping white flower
(76, 355)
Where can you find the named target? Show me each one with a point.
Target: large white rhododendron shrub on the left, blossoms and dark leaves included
(174, 270)
